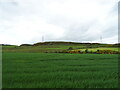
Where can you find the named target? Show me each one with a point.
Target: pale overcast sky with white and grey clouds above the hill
(26, 21)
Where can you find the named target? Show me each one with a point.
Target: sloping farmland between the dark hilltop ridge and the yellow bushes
(42, 48)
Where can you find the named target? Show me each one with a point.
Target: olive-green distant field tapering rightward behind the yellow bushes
(41, 49)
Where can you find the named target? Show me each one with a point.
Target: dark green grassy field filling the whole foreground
(50, 70)
